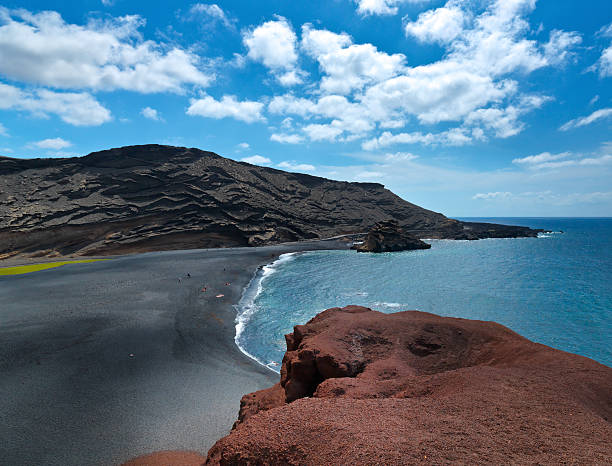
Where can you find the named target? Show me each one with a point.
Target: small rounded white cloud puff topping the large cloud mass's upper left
(440, 25)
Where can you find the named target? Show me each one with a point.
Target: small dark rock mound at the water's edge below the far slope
(388, 236)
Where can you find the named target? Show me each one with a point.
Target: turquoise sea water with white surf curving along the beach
(555, 289)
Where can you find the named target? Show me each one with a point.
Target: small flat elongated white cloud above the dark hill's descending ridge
(228, 107)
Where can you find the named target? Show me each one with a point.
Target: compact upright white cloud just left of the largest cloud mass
(273, 44)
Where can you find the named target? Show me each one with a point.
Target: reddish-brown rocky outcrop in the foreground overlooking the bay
(361, 387)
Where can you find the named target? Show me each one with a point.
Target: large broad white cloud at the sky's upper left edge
(41, 48)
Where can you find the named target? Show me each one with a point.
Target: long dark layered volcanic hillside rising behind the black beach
(156, 197)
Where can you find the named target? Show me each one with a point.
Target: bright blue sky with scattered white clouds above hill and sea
(466, 107)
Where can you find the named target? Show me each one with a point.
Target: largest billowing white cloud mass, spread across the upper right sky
(473, 85)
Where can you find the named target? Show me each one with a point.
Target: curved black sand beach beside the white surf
(106, 361)
